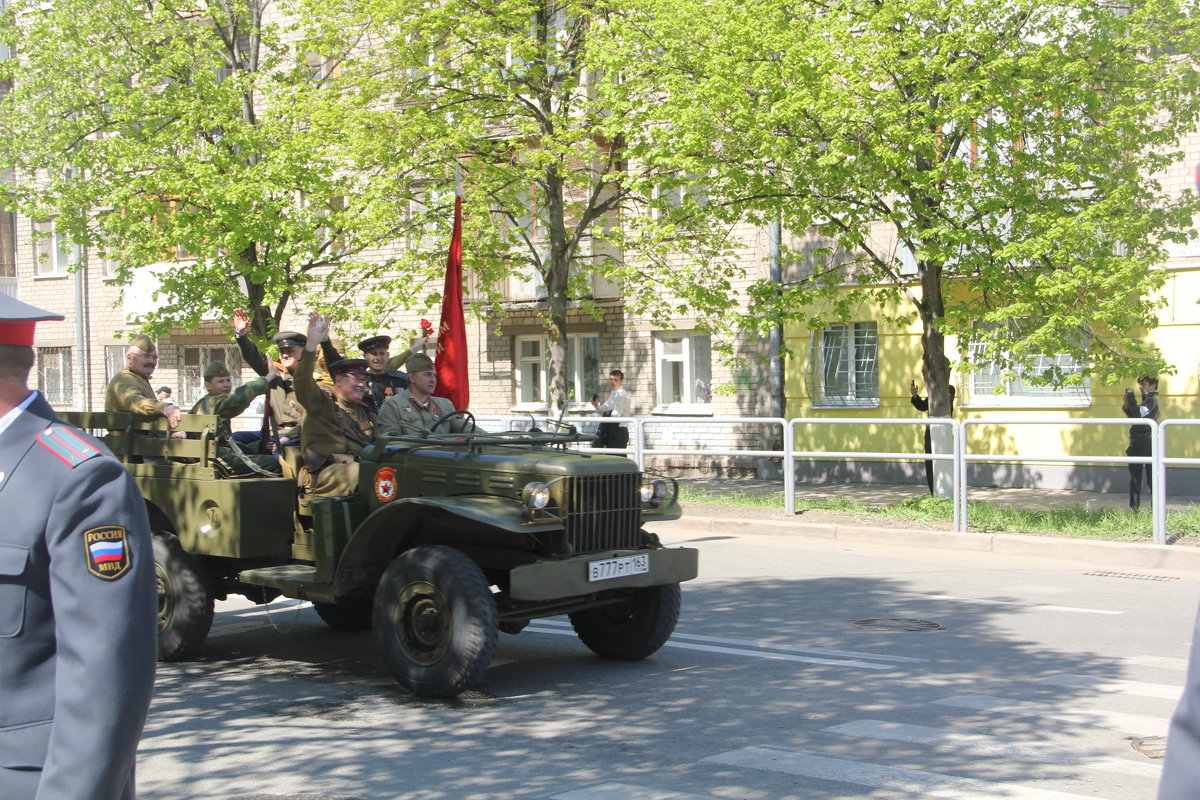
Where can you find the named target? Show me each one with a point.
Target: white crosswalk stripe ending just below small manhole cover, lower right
(975, 744)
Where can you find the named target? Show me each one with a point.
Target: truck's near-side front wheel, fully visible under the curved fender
(435, 622)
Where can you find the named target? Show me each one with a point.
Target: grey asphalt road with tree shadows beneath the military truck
(1025, 678)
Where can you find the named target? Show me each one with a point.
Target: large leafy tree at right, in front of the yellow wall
(1009, 148)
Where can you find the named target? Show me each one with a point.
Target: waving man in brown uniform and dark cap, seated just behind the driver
(338, 425)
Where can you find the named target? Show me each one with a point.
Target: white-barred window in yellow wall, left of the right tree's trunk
(844, 366)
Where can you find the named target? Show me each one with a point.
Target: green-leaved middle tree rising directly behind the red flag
(508, 93)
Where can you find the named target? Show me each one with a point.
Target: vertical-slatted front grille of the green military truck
(603, 513)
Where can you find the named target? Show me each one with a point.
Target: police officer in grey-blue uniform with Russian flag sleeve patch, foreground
(79, 607)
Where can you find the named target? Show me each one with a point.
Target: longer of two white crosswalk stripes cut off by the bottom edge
(916, 783)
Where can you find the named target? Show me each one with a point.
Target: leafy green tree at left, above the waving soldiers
(197, 134)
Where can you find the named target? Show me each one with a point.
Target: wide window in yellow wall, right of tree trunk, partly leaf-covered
(988, 384)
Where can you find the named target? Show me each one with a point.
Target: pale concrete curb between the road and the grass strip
(1126, 555)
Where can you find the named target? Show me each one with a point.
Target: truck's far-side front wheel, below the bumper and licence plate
(632, 629)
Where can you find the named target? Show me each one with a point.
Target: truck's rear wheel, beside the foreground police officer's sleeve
(185, 605)
